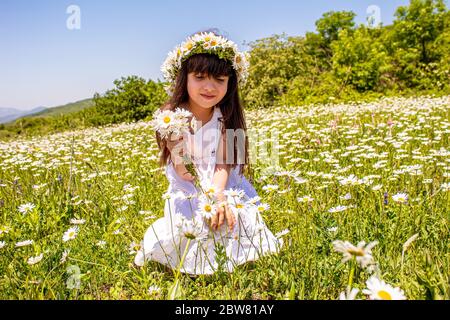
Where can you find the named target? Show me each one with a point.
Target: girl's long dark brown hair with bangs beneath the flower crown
(230, 105)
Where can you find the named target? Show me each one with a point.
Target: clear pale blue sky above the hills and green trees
(44, 63)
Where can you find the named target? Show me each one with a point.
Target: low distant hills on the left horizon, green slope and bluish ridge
(11, 114)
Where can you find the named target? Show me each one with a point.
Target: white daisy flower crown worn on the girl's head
(205, 42)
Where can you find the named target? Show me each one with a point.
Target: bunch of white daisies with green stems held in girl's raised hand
(170, 123)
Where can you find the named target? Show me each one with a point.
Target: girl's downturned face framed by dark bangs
(206, 91)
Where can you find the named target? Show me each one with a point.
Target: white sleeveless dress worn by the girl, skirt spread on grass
(166, 240)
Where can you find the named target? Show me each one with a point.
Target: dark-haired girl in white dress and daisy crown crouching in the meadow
(220, 226)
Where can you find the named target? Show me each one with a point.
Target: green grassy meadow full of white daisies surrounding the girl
(359, 193)
